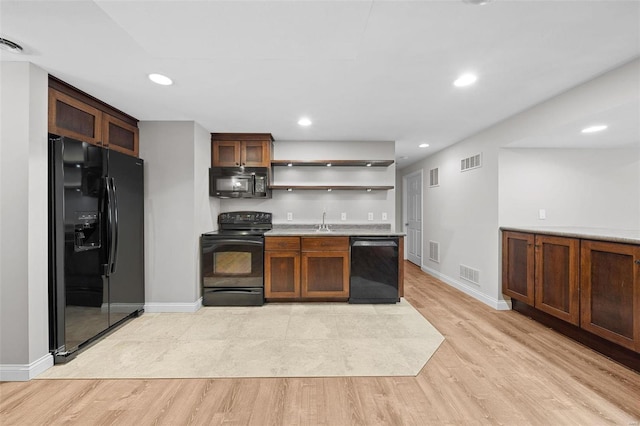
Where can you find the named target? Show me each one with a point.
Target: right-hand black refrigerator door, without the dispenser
(126, 277)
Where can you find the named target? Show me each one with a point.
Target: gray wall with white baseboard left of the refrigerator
(24, 344)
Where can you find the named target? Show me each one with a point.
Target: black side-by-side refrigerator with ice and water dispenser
(96, 243)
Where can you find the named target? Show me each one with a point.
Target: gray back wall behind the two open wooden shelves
(307, 206)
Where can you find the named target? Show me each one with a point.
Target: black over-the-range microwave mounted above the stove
(239, 182)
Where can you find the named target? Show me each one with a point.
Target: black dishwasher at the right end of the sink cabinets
(374, 270)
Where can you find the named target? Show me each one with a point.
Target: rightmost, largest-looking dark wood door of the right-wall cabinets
(610, 292)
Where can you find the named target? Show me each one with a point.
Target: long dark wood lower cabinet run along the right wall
(586, 289)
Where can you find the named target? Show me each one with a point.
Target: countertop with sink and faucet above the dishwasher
(336, 230)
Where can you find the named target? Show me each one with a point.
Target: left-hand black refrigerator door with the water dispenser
(78, 291)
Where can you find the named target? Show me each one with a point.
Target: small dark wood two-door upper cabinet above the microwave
(241, 149)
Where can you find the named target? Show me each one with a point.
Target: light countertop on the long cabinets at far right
(629, 236)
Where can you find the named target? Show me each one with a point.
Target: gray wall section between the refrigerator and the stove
(177, 210)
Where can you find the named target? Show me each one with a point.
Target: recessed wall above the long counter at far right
(594, 188)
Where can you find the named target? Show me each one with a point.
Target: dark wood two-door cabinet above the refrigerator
(78, 115)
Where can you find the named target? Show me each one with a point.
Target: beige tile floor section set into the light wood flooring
(274, 340)
